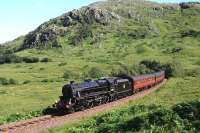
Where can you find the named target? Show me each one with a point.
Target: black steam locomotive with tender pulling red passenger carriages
(79, 96)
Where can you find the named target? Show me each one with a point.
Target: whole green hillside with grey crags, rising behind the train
(102, 39)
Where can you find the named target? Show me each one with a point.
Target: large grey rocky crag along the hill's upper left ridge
(46, 35)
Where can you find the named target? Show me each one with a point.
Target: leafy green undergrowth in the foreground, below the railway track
(182, 117)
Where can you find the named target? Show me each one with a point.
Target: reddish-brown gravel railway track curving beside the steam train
(43, 123)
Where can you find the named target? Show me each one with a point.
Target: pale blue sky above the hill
(18, 17)
